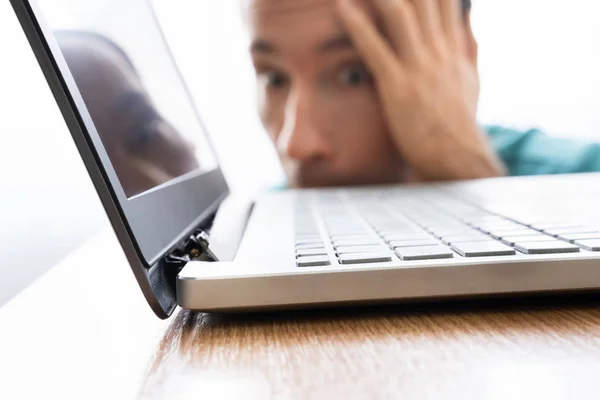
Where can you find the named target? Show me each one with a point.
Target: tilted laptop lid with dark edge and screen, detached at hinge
(133, 121)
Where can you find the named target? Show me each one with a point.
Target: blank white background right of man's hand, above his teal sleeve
(540, 64)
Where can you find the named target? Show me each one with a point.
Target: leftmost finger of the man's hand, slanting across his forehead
(376, 52)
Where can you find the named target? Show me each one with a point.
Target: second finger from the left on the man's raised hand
(402, 26)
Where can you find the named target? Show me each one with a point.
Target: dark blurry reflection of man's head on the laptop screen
(143, 147)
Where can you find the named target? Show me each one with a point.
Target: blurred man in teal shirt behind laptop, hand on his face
(385, 91)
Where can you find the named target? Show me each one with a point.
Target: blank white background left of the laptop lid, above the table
(47, 203)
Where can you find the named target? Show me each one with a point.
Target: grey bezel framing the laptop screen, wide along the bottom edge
(162, 217)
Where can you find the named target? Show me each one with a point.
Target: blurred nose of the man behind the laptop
(303, 136)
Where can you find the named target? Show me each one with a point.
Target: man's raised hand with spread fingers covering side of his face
(428, 84)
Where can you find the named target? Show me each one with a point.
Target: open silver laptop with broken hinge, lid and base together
(191, 244)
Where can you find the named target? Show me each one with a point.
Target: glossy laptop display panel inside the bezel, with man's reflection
(132, 90)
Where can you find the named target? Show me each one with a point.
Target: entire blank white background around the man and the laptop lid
(539, 64)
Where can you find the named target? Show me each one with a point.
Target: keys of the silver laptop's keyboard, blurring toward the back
(334, 228)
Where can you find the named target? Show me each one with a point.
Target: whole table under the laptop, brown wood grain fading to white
(84, 331)
